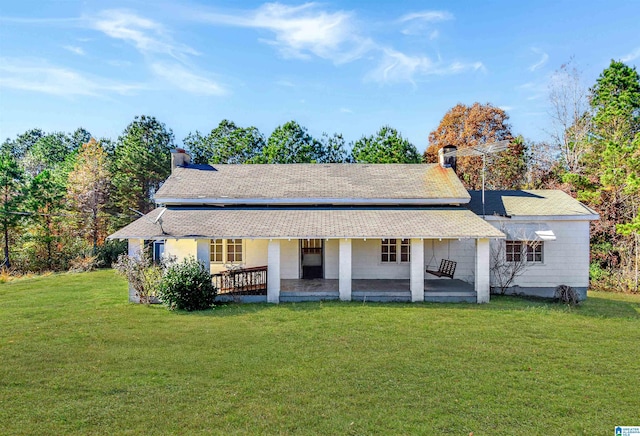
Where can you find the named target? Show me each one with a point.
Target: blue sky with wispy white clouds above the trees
(347, 67)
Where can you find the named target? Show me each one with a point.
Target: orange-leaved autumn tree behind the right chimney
(469, 126)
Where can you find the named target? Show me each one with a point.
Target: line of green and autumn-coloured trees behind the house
(63, 193)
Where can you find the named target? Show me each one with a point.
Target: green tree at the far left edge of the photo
(11, 196)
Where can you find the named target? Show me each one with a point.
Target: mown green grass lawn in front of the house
(75, 357)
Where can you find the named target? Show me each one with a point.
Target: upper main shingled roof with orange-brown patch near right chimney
(313, 183)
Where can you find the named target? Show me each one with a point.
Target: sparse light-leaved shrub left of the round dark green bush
(143, 275)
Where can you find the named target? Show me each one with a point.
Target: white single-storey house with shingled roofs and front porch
(358, 231)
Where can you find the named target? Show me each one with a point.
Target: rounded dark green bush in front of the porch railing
(187, 286)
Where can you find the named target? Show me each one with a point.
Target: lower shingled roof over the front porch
(310, 223)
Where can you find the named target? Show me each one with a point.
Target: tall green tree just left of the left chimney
(142, 161)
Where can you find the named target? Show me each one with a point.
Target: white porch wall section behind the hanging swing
(461, 251)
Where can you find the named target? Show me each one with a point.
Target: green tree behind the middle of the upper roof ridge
(291, 143)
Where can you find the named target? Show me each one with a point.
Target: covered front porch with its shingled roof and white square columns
(344, 253)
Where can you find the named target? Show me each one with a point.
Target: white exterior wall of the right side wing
(565, 260)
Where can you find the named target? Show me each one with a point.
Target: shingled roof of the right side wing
(535, 202)
